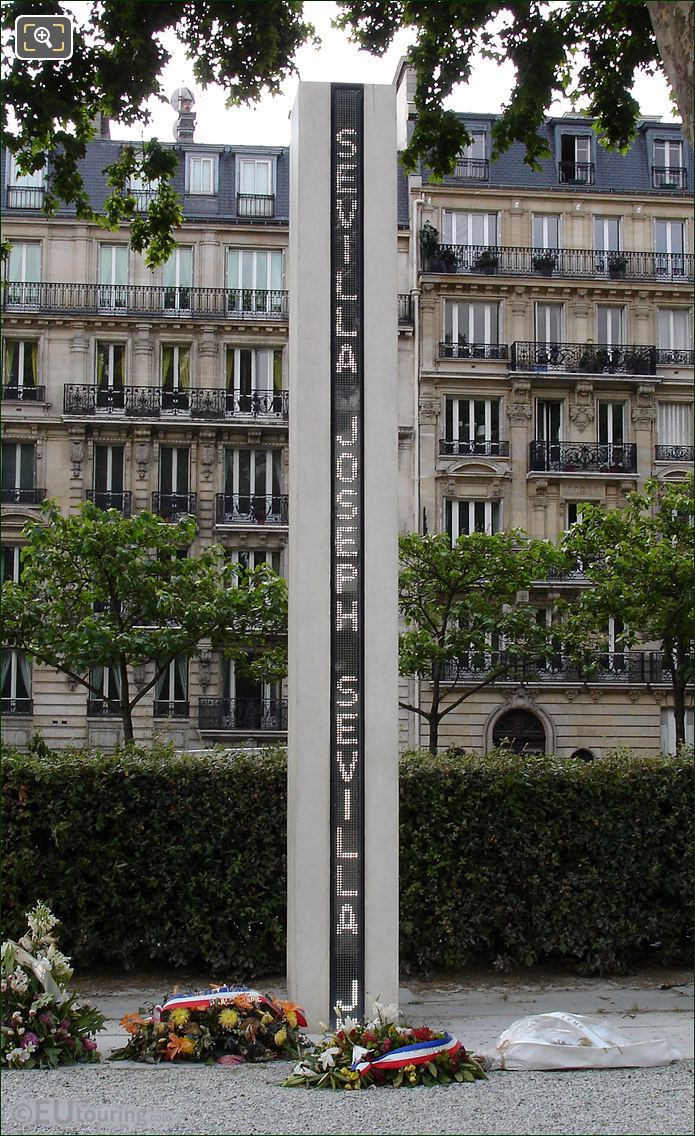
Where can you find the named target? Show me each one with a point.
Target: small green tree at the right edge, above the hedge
(640, 563)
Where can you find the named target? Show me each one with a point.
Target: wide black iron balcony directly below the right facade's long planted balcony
(584, 358)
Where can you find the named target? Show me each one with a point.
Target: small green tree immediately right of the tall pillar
(464, 616)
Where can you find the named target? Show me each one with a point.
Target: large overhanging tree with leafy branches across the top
(591, 49)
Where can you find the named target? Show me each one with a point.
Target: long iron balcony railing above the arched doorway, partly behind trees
(597, 667)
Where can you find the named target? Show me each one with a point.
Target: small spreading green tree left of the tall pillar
(101, 590)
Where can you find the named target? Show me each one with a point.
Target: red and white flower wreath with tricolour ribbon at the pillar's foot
(383, 1053)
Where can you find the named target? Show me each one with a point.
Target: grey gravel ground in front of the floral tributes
(128, 1098)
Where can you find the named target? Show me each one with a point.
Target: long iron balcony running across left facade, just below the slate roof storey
(145, 300)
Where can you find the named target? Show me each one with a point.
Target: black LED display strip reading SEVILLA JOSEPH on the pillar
(347, 561)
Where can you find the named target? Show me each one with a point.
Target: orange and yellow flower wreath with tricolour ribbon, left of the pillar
(224, 1024)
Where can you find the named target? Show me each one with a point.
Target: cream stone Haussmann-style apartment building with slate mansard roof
(545, 360)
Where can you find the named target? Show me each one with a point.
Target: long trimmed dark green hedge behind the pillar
(507, 861)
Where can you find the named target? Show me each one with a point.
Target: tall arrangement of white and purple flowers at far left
(44, 1024)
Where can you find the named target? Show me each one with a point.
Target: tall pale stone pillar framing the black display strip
(312, 934)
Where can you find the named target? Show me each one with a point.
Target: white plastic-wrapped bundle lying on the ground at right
(568, 1041)
